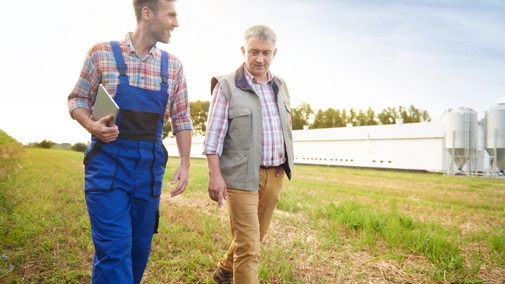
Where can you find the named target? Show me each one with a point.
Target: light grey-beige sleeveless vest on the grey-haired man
(241, 156)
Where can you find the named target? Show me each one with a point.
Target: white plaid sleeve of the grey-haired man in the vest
(217, 122)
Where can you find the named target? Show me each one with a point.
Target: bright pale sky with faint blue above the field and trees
(435, 55)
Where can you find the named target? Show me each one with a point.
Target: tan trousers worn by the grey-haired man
(250, 216)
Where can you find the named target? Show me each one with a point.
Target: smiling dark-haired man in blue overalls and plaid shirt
(125, 164)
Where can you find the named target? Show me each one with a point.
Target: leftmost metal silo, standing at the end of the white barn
(461, 139)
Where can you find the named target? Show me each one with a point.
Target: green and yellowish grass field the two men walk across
(333, 225)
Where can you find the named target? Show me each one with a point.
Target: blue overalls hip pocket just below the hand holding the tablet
(101, 162)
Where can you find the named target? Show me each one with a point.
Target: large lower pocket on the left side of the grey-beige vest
(233, 164)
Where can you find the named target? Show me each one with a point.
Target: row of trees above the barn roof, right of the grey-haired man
(304, 114)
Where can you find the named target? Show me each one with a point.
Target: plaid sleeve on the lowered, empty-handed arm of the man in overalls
(178, 110)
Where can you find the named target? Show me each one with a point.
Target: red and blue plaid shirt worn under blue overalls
(100, 68)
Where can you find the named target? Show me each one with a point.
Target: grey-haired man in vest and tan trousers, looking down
(249, 148)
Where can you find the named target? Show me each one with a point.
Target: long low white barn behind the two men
(413, 146)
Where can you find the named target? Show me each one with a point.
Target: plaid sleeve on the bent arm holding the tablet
(84, 93)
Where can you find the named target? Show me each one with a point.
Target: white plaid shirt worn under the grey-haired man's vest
(272, 153)
